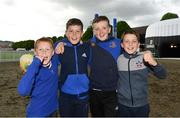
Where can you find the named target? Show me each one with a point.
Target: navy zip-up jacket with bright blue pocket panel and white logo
(73, 75)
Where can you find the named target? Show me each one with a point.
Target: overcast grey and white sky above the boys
(32, 19)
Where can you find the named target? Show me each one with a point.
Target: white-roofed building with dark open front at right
(163, 38)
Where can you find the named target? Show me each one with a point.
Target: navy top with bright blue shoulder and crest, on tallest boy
(104, 73)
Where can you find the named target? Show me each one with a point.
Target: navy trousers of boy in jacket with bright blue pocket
(74, 105)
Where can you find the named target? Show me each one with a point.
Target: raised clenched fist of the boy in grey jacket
(148, 57)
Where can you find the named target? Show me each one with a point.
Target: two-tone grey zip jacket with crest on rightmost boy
(133, 79)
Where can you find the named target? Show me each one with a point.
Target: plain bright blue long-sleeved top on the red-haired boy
(41, 84)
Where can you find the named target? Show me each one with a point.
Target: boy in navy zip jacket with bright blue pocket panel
(74, 82)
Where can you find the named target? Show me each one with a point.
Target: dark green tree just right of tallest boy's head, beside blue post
(121, 27)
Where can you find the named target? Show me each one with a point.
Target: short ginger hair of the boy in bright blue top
(43, 39)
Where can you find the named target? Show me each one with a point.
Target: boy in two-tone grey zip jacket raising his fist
(134, 68)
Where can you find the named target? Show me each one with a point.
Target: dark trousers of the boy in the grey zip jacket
(124, 111)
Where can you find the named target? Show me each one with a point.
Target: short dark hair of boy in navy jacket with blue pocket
(74, 21)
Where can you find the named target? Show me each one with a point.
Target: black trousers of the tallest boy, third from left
(103, 103)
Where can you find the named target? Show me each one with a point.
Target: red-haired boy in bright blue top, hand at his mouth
(40, 82)
